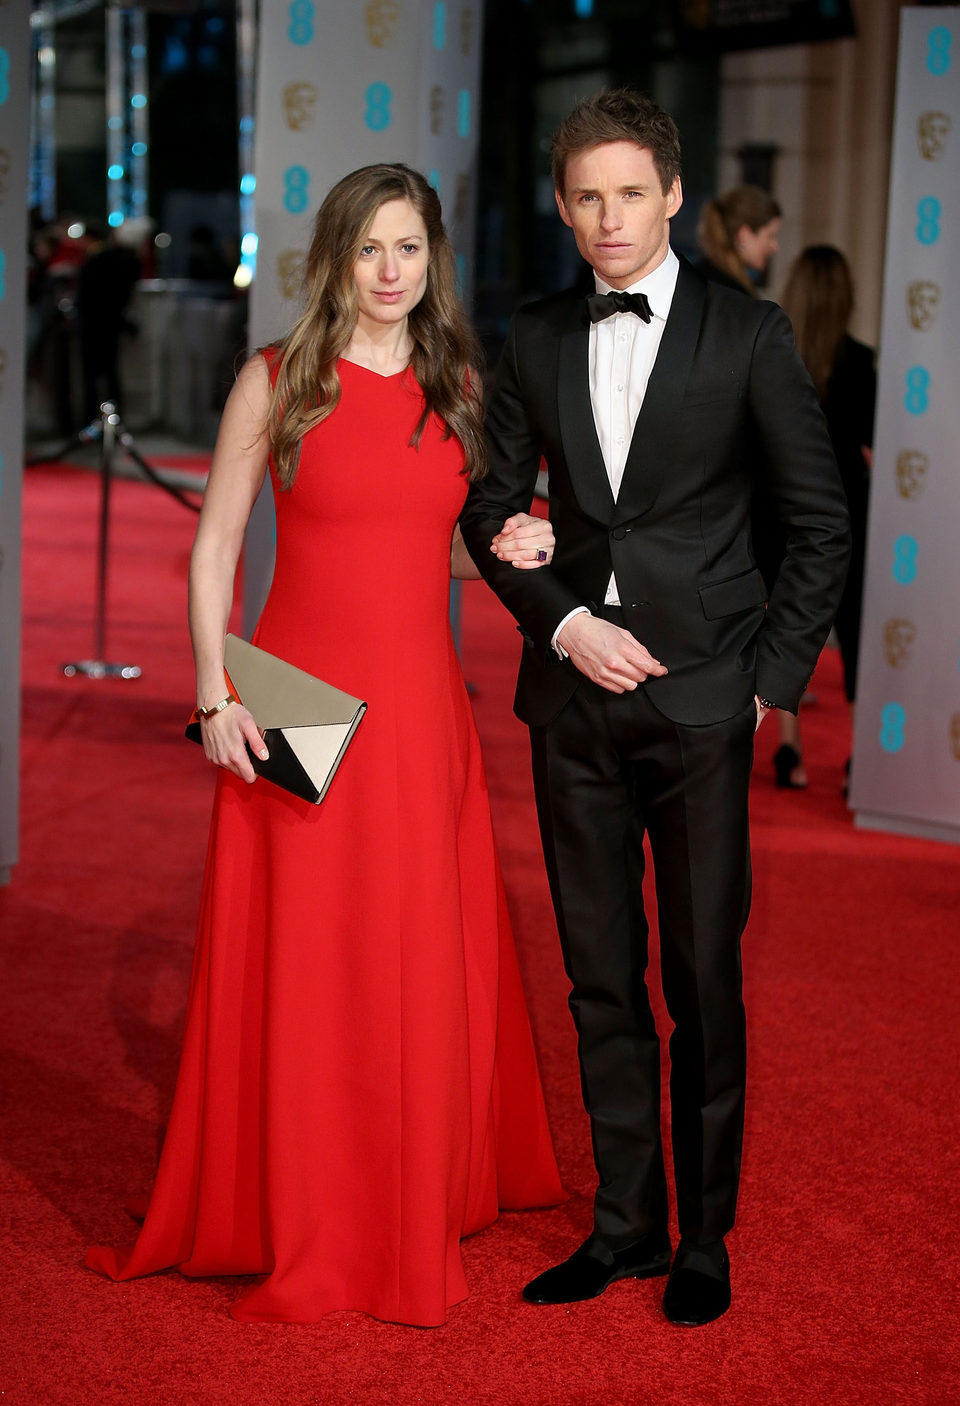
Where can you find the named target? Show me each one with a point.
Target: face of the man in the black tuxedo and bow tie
(618, 212)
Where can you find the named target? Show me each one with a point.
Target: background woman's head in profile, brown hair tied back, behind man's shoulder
(739, 236)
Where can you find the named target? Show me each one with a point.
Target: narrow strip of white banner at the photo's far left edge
(15, 119)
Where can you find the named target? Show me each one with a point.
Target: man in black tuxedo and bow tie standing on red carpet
(651, 653)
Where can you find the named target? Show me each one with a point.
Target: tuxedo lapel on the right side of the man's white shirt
(650, 448)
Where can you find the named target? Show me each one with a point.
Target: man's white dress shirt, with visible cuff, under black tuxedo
(622, 356)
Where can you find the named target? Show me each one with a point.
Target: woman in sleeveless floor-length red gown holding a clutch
(358, 1088)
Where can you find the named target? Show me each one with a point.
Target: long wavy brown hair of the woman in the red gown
(446, 355)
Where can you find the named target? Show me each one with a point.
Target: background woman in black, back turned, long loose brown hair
(819, 300)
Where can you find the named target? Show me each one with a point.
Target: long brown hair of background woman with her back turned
(819, 300)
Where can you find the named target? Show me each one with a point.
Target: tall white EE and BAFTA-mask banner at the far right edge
(907, 740)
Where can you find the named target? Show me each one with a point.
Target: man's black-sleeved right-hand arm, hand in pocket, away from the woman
(809, 501)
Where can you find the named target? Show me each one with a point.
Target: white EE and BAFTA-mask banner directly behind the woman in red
(342, 86)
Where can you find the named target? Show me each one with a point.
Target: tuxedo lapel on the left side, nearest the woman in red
(578, 428)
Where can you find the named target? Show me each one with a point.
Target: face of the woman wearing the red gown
(391, 269)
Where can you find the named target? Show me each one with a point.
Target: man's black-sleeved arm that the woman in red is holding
(538, 600)
